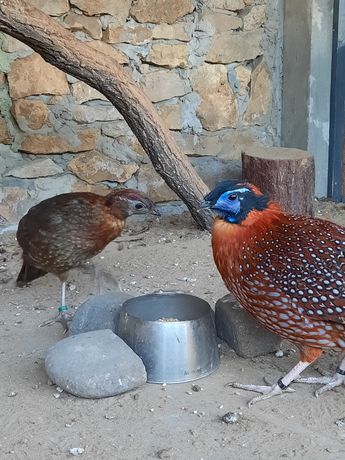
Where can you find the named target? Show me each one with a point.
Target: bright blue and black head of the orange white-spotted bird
(233, 201)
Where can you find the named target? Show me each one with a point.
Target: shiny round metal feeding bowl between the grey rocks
(174, 335)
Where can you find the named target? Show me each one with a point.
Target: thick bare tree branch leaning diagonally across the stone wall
(63, 50)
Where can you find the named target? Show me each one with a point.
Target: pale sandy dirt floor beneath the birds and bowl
(154, 421)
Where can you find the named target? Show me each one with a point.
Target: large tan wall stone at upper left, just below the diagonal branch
(32, 75)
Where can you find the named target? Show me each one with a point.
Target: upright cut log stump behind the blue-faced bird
(285, 175)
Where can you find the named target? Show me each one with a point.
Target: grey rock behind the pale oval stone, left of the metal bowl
(98, 312)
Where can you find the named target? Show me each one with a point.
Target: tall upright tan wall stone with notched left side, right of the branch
(218, 107)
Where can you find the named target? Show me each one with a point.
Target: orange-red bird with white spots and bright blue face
(287, 271)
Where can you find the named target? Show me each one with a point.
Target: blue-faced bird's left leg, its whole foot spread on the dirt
(307, 356)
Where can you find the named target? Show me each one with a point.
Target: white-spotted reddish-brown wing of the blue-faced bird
(306, 258)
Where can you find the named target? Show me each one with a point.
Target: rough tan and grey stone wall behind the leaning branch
(211, 67)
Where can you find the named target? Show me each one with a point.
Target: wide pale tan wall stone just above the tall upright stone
(229, 47)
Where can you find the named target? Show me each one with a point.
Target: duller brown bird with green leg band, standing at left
(63, 232)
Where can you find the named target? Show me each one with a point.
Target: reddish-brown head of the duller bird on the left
(125, 202)
